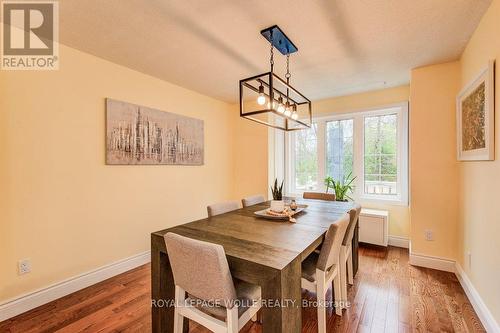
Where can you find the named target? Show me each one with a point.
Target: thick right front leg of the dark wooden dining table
(281, 295)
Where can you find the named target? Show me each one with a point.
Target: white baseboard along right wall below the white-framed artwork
(481, 309)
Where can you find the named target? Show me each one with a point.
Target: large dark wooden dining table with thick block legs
(265, 252)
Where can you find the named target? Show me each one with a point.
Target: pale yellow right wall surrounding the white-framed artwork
(479, 213)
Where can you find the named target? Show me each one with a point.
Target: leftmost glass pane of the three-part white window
(306, 161)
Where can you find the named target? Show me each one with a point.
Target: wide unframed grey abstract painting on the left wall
(140, 135)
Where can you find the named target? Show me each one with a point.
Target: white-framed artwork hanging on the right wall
(476, 118)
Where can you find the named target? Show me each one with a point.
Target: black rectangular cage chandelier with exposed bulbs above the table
(270, 100)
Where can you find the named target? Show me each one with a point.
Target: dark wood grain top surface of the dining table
(270, 243)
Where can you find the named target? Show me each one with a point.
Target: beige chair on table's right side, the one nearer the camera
(320, 270)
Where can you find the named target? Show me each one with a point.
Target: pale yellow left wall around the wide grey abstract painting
(62, 207)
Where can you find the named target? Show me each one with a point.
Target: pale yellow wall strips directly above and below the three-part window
(399, 224)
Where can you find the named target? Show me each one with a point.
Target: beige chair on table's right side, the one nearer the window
(347, 273)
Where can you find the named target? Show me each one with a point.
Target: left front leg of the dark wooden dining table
(162, 292)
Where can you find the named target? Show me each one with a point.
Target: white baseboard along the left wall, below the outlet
(42, 296)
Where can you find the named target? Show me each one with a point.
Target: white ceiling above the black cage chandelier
(345, 46)
